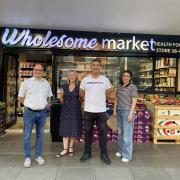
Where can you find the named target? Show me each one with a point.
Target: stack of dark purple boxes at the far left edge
(2, 118)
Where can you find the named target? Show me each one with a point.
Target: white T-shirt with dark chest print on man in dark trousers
(95, 93)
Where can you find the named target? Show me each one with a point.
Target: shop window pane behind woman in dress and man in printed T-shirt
(82, 64)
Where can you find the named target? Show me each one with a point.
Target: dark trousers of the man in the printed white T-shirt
(101, 121)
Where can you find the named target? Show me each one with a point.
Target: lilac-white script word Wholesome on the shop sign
(24, 38)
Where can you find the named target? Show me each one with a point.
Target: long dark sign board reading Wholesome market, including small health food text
(79, 40)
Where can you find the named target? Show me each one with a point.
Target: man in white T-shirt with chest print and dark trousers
(94, 89)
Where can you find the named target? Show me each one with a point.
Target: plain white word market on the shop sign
(128, 44)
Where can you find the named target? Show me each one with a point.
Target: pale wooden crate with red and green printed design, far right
(165, 124)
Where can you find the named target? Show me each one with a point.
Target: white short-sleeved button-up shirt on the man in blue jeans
(35, 93)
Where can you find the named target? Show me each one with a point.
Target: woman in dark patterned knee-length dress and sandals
(70, 119)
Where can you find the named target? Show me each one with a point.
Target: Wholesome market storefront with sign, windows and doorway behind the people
(154, 60)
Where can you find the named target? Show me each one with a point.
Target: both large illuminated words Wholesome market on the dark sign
(25, 38)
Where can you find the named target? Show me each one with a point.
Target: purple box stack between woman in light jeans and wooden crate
(142, 125)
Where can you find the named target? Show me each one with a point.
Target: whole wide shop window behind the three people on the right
(112, 67)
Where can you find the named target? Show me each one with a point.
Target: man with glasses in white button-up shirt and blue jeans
(34, 94)
